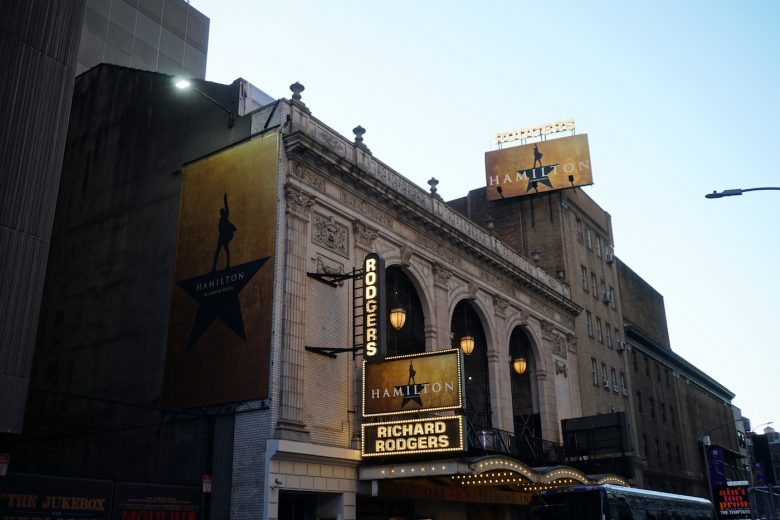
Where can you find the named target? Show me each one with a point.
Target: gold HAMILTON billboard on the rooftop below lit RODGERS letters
(549, 165)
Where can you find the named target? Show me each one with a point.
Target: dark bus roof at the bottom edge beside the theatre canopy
(609, 502)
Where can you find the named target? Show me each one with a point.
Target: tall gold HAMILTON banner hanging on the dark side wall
(220, 324)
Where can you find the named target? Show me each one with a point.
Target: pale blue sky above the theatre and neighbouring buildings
(678, 99)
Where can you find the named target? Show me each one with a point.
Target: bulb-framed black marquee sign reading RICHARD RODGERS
(431, 435)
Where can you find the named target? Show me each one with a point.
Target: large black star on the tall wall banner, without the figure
(217, 297)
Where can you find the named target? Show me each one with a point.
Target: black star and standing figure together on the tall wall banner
(217, 292)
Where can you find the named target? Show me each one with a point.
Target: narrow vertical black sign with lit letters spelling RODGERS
(374, 314)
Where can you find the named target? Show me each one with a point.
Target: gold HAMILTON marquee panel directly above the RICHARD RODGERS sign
(425, 382)
